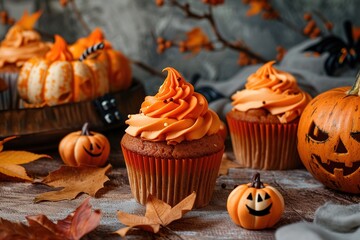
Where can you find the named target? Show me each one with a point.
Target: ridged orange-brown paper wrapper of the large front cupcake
(171, 180)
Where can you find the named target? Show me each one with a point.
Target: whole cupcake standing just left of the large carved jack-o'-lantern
(264, 119)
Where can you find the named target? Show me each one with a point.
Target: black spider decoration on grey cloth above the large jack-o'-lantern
(341, 53)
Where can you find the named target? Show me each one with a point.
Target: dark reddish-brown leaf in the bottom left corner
(76, 225)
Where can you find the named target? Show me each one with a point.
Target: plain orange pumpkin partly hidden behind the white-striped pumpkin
(118, 66)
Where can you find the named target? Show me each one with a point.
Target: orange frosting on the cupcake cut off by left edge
(21, 44)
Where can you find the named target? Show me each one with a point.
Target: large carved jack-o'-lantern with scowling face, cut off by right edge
(329, 138)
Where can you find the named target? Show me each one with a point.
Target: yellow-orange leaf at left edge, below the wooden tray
(9, 161)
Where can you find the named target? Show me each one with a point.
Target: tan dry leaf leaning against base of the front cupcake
(158, 214)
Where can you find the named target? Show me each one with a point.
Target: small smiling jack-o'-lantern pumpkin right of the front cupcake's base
(255, 205)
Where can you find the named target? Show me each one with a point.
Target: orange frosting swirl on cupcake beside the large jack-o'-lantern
(274, 90)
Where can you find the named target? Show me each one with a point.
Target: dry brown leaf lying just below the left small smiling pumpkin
(74, 180)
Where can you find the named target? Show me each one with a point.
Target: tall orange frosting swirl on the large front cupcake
(176, 113)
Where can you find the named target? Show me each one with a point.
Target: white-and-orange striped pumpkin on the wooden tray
(58, 78)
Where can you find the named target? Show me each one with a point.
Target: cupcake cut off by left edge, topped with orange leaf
(19, 45)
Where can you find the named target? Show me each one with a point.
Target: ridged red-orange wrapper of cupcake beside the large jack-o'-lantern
(264, 145)
